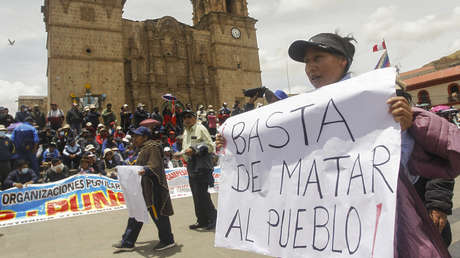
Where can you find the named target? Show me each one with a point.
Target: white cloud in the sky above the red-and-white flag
(385, 23)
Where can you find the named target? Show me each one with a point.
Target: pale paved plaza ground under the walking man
(92, 236)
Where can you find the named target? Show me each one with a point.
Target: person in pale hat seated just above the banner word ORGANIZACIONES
(22, 176)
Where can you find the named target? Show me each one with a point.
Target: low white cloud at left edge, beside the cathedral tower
(12, 90)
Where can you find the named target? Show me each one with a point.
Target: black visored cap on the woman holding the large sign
(329, 42)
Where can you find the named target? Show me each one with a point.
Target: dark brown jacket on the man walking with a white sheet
(154, 185)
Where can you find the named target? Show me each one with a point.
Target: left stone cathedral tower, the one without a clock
(85, 59)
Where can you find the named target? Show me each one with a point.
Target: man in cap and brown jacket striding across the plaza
(155, 190)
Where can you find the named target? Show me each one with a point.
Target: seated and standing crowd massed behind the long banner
(38, 147)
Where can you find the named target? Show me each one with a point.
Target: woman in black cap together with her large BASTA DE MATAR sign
(313, 177)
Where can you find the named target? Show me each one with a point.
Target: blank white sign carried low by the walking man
(130, 182)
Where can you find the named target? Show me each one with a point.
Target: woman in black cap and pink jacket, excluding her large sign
(327, 58)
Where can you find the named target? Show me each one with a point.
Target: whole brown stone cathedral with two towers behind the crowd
(96, 56)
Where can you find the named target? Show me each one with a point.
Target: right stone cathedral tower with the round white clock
(234, 50)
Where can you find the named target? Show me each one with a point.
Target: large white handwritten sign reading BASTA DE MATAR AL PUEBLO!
(314, 175)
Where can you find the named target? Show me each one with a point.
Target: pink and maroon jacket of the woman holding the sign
(436, 154)
